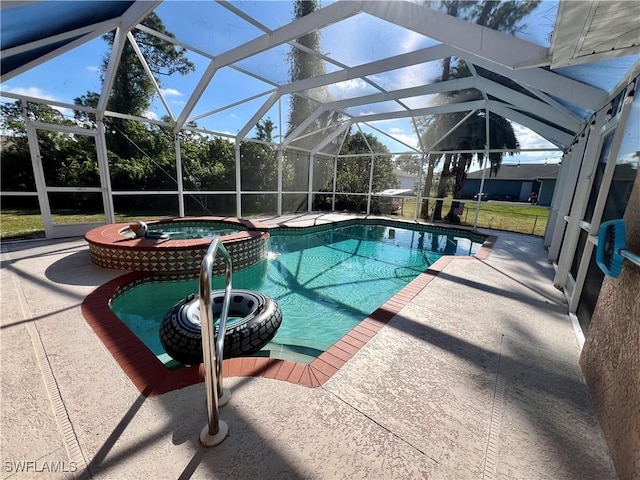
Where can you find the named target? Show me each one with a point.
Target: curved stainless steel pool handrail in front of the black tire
(216, 430)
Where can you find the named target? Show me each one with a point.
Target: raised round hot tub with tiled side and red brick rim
(116, 246)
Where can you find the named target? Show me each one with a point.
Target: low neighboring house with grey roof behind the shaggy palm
(515, 182)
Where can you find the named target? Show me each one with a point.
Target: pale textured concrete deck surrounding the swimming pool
(476, 376)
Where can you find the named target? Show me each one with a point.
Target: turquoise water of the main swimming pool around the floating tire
(326, 282)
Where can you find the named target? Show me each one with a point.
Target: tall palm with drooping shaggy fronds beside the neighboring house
(505, 16)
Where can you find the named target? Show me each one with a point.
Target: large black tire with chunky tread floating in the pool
(181, 337)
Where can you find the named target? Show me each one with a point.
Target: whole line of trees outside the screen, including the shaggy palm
(141, 156)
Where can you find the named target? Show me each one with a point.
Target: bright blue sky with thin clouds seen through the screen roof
(210, 27)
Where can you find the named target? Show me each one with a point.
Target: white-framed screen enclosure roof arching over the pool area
(377, 65)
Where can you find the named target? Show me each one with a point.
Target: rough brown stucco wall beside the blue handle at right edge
(610, 357)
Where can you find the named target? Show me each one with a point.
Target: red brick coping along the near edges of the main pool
(152, 378)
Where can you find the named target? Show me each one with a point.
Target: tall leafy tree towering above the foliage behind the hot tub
(141, 156)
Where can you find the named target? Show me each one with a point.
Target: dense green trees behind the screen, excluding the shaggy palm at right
(142, 156)
